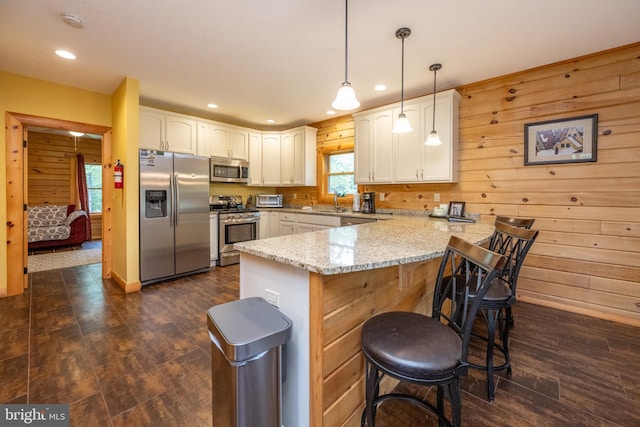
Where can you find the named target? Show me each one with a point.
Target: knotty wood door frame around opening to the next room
(17, 197)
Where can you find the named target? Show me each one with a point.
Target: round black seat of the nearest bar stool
(395, 342)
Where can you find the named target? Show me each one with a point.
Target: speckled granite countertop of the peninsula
(399, 239)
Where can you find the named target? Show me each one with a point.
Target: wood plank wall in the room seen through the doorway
(51, 170)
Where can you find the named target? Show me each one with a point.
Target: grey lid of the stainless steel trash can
(248, 327)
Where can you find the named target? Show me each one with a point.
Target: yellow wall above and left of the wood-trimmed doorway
(25, 95)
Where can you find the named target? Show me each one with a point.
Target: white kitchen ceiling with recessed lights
(284, 59)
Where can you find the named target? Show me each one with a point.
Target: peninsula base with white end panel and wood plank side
(324, 363)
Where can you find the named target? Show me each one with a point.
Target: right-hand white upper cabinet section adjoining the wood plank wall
(416, 162)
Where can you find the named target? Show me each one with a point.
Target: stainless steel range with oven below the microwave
(236, 224)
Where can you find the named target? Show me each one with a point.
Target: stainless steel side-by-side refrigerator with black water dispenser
(174, 215)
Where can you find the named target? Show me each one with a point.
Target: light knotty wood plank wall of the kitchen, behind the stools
(587, 256)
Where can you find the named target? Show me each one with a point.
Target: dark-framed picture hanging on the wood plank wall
(571, 140)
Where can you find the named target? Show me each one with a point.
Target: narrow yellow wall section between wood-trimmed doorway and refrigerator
(125, 223)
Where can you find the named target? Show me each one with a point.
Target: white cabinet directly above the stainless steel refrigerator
(160, 130)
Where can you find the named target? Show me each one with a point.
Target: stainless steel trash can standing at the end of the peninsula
(246, 355)
